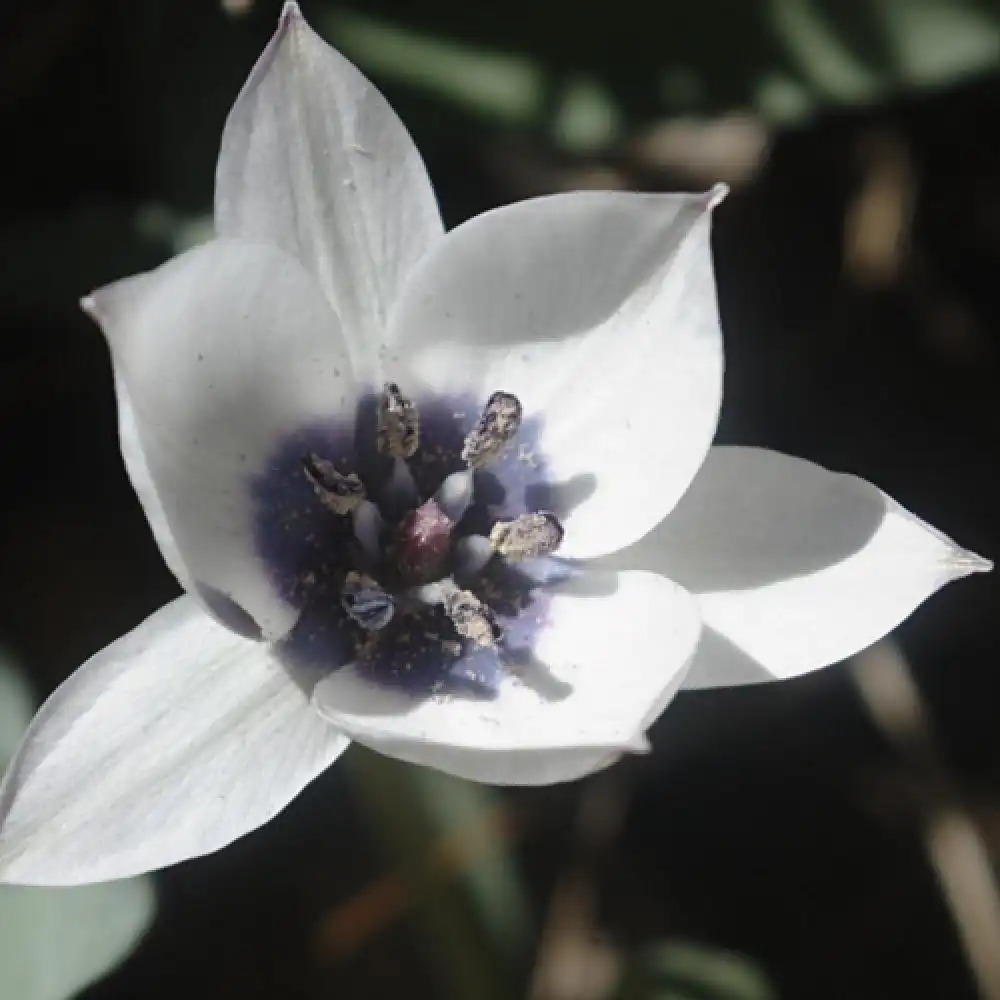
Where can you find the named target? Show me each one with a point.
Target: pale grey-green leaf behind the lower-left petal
(54, 942)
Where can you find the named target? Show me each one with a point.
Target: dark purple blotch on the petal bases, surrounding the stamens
(308, 551)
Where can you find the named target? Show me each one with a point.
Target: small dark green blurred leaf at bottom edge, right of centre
(687, 971)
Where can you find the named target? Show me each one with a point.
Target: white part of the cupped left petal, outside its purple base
(223, 353)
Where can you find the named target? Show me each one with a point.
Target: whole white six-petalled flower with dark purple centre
(249, 372)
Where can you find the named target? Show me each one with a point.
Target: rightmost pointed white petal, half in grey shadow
(794, 567)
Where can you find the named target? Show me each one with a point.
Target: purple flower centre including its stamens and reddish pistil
(403, 561)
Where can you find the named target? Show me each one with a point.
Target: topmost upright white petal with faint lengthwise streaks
(314, 160)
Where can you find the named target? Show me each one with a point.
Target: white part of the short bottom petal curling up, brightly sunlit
(604, 666)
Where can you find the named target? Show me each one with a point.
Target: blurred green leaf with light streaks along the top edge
(784, 58)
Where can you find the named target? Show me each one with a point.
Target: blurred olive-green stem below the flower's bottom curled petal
(473, 925)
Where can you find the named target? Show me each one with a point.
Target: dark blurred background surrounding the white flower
(825, 838)
